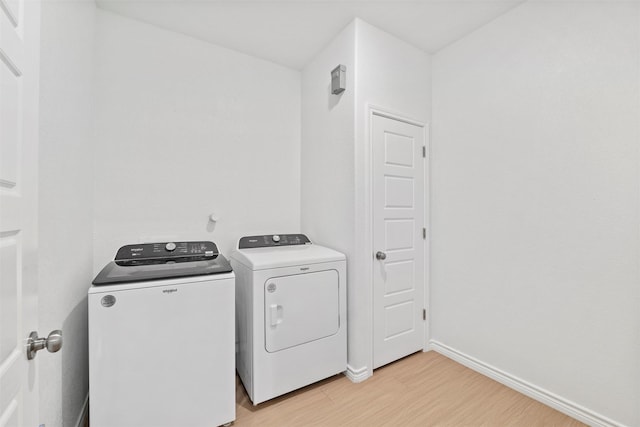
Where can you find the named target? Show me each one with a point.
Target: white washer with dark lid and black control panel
(161, 338)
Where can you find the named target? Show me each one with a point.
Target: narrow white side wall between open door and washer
(65, 208)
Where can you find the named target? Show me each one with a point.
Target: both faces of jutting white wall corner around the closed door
(381, 70)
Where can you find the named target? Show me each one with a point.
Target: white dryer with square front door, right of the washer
(291, 318)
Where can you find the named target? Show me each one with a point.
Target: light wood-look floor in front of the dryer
(425, 389)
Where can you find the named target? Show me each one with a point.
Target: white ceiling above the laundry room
(291, 32)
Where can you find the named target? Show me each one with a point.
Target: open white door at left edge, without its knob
(19, 53)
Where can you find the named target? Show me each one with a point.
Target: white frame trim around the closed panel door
(374, 110)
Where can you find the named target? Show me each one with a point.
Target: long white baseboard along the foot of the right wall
(550, 399)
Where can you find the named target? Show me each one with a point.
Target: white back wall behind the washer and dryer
(184, 129)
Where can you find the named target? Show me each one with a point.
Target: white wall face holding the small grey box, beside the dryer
(327, 173)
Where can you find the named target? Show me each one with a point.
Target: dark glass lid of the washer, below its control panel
(113, 273)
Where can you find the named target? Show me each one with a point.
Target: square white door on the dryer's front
(301, 308)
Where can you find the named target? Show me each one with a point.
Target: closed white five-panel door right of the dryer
(398, 245)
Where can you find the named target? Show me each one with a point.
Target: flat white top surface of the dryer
(285, 256)
